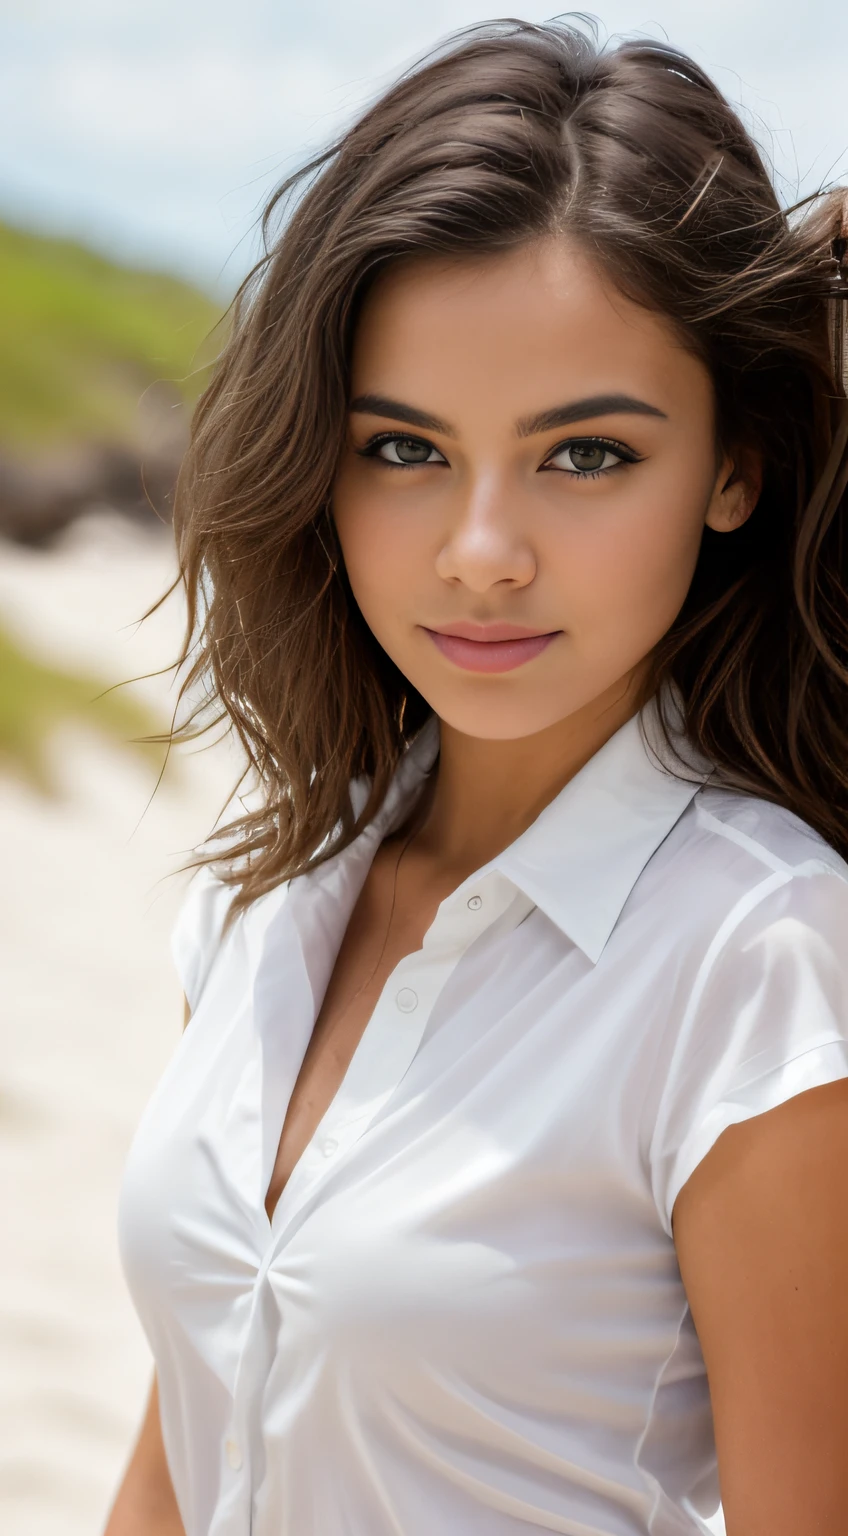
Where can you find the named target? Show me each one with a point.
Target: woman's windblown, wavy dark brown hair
(506, 134)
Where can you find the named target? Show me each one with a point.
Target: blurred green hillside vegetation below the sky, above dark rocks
(82, 339)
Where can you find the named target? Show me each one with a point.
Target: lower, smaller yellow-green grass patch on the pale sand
(36, 698)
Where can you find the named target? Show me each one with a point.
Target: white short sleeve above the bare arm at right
(767, 1019)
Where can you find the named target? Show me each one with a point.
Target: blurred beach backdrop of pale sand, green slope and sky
(139, 141)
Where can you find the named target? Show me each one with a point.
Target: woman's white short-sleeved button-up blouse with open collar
(466, 1317)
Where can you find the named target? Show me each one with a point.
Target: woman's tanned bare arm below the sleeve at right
(761, 1231)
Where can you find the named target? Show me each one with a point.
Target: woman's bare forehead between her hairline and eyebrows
(540, 320)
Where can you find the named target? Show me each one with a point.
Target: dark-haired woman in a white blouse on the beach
(500, 1179)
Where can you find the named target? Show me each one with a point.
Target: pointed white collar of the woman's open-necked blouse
(585, 853)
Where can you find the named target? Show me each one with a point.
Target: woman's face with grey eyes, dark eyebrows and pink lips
(529, 466)
